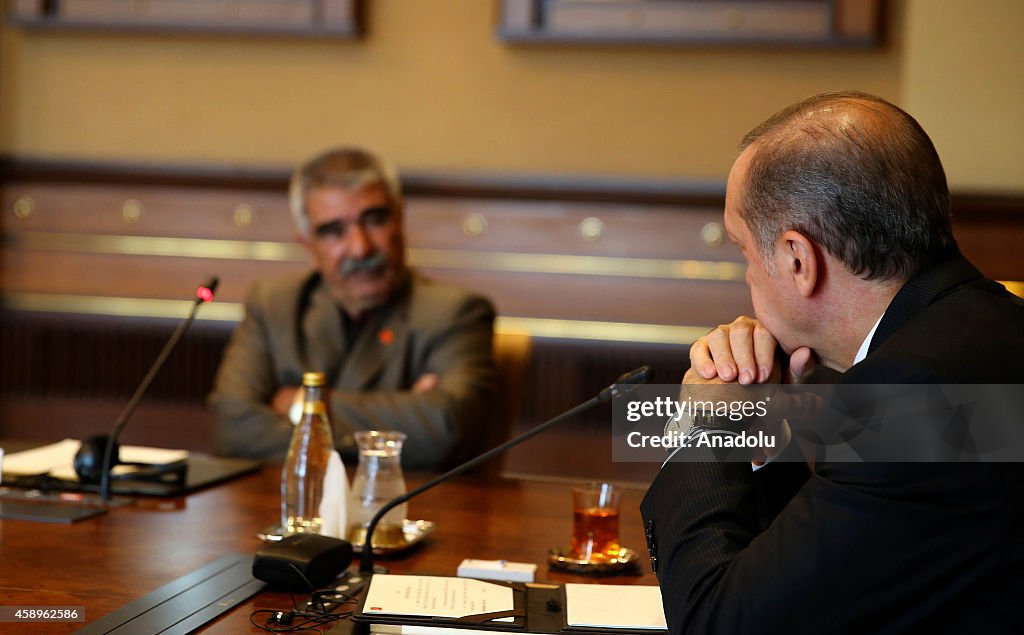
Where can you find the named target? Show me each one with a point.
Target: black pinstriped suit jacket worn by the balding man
(862, 548)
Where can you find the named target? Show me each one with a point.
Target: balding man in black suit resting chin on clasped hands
(841, 208)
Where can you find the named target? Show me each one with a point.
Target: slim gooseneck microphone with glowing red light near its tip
(88, 458)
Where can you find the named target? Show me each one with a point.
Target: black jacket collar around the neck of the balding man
(921, 291)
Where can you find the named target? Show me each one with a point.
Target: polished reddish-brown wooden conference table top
(107, 562)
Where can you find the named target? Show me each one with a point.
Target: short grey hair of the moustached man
(349, 168)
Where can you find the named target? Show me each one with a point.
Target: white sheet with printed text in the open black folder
(436, 597)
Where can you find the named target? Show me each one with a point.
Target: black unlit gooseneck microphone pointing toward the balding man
(624, 385)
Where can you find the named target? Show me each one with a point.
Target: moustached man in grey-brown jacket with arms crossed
(401, 353)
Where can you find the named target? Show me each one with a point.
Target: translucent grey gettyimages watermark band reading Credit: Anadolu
(840, 424)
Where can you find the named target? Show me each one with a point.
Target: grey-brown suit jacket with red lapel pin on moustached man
(292, 326)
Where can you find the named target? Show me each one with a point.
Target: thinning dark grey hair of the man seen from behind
(858, 176)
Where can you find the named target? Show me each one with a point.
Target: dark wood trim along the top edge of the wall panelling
(968, 206)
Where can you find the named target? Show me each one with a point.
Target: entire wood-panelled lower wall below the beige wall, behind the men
(592, 269)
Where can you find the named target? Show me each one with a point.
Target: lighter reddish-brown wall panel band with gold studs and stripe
(590, 261)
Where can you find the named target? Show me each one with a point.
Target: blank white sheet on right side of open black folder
(616, 607)
